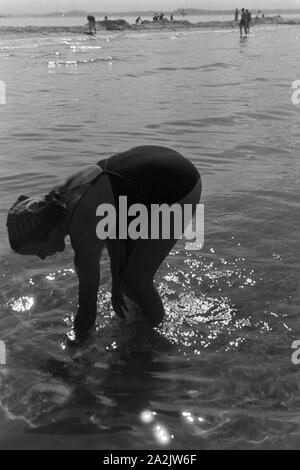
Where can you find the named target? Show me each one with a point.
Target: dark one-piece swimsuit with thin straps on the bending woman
(164, 178)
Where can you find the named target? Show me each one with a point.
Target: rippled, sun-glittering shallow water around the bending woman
(218, 373)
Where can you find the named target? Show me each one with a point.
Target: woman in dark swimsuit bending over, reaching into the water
(145, 175)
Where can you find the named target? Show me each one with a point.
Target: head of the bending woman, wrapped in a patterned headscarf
(33, 225)
